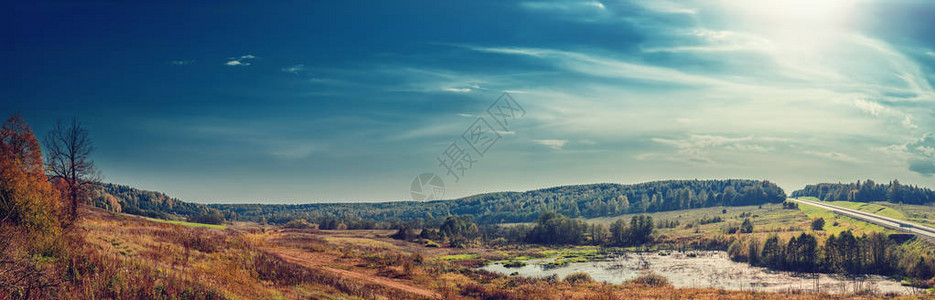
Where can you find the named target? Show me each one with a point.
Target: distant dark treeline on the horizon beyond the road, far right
(868, 191)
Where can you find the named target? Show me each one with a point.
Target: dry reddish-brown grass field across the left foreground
(120, 256)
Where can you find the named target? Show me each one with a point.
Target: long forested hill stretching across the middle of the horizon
(593, 200)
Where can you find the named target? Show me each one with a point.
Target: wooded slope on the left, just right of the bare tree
(121, 198)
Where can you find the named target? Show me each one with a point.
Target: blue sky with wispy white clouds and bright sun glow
(313, 101)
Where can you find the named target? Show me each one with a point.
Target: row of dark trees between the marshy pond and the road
(873, 253)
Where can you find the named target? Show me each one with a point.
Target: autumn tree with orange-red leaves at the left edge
(30, 215)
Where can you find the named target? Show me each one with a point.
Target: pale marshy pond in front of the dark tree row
(703, 269)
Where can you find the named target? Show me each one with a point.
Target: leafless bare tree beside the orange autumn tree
(68, 151)
